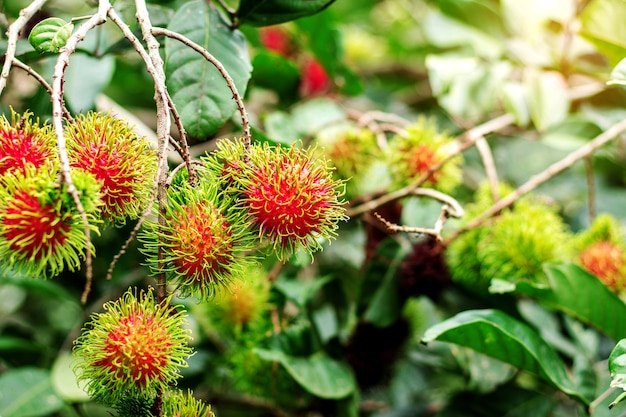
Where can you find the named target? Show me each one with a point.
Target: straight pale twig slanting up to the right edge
(547, 174)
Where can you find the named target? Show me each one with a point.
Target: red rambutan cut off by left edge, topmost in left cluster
(23, 142)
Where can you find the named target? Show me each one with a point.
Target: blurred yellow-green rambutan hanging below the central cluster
(246, 298)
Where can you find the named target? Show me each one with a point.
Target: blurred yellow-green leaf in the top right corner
(603, 25)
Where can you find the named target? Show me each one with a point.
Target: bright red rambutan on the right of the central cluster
(292, 198)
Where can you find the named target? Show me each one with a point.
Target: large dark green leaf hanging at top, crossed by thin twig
(199, 91)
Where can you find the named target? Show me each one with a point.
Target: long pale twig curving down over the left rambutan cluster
(57, 120)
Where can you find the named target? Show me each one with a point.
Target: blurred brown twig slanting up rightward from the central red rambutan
(465, 141)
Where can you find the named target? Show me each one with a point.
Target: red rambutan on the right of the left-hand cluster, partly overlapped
(122, 161)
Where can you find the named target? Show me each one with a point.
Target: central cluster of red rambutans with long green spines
(280, 198)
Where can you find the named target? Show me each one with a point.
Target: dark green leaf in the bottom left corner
(27, 392)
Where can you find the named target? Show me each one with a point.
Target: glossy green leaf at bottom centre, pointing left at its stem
(319, 374)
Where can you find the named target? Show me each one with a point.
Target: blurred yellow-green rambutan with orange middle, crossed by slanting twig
(422, 146)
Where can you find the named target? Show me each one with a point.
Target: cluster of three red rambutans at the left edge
(42, 232)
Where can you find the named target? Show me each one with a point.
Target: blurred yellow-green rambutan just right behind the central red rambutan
(351, 153)
